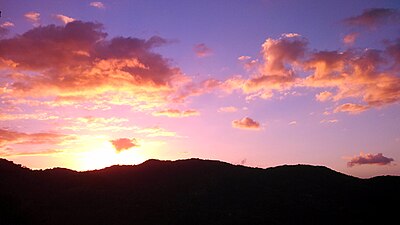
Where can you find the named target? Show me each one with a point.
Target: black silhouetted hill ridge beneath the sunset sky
(194, 192)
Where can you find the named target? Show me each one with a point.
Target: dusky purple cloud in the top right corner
(373, 17)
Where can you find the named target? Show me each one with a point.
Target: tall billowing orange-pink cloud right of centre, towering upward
(274, 72)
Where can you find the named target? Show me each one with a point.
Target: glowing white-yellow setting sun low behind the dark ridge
(102, 154)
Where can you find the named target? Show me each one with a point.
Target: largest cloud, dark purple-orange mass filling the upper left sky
(77, 63)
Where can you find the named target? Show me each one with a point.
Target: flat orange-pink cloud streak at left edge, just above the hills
(8, 137)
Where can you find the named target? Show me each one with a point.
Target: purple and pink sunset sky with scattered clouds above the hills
(86, 84)
